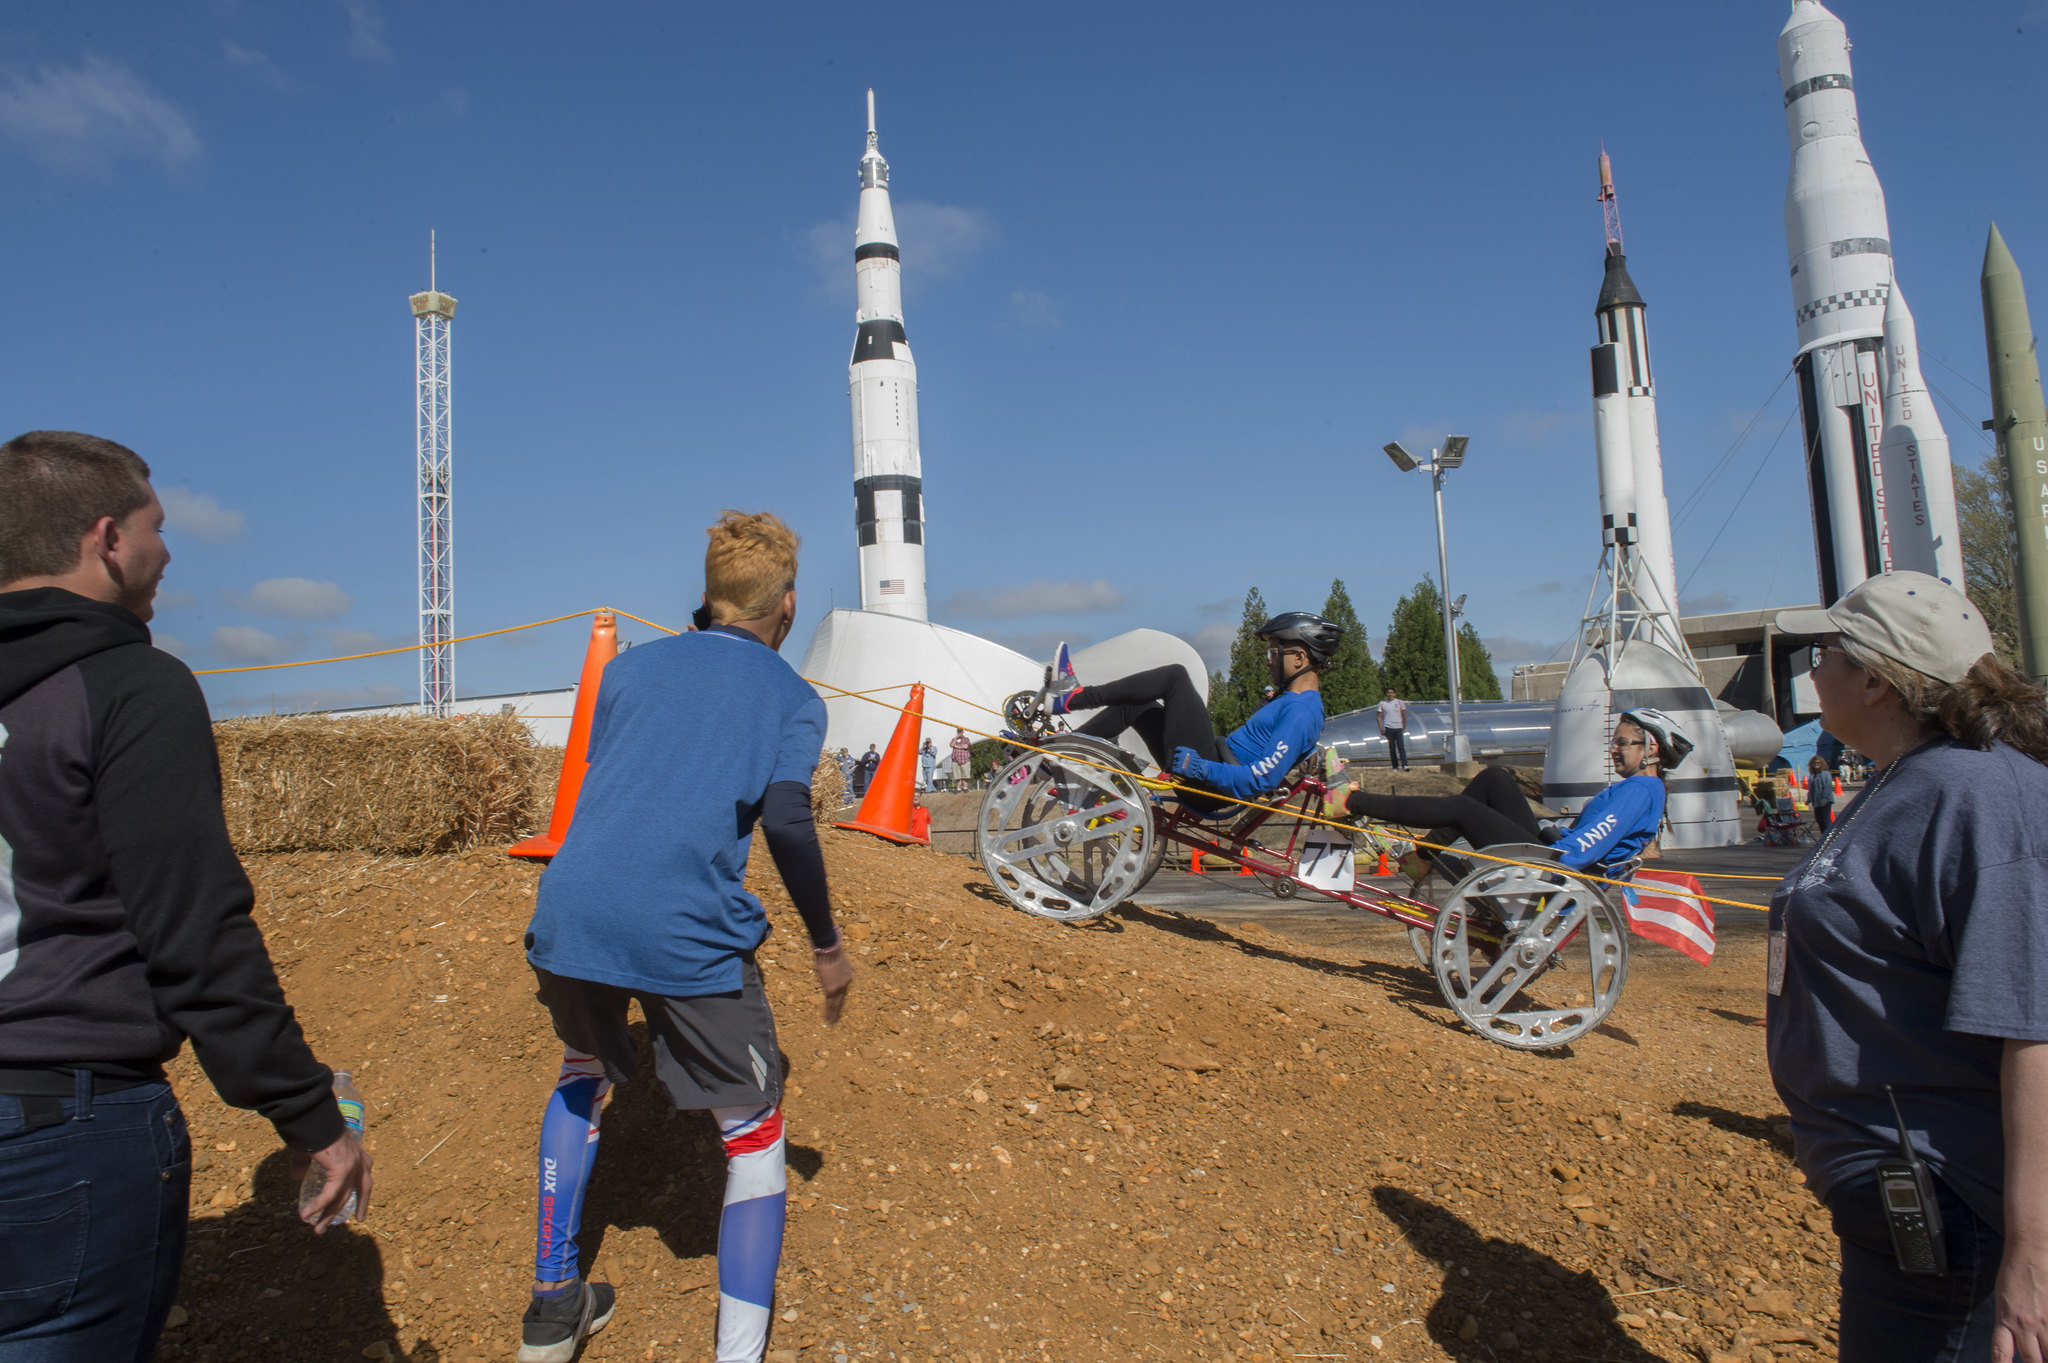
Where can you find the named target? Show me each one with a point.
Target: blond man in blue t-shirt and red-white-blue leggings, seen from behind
(646, 902)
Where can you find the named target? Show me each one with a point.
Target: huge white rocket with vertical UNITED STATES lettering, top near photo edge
(1877, 455)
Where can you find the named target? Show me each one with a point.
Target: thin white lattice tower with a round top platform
(433, 314)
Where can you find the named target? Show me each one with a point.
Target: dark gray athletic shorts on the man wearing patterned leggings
(710, 1051)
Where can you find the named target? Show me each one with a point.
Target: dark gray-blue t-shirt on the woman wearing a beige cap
(1916, 940)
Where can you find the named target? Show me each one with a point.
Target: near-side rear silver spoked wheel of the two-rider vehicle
(1529, 957)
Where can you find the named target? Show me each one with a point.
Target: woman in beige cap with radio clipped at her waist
(1910, 965)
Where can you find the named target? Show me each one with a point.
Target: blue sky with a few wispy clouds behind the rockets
(1172, 275)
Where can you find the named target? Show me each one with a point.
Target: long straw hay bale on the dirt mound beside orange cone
(394, 785)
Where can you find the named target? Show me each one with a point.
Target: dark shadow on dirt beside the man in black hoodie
(261, 1286)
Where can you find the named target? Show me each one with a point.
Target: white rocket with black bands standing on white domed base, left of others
(884, 388)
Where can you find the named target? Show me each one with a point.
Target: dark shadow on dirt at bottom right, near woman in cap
(1506, 1288)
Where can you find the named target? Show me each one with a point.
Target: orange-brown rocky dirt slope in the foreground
(1144, 1139)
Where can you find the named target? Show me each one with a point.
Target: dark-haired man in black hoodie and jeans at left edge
(124, 924)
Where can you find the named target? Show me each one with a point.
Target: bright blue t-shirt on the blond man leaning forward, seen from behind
(648, 889)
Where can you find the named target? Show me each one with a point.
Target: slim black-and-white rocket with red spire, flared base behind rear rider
(1631, 652)
